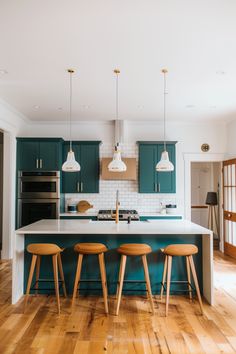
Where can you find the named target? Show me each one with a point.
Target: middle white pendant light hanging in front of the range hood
(117, 165)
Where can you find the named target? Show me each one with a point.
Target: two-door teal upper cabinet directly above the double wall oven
(35, 154)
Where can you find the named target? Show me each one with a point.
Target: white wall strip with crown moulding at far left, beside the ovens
(12, 124)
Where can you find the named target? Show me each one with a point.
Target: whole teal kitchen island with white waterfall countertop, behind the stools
(156, 233)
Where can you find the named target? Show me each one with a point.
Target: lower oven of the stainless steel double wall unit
(31, 210)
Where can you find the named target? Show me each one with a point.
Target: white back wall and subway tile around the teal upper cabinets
(189, 137)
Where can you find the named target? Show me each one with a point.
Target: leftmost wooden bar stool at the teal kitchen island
(45, 249)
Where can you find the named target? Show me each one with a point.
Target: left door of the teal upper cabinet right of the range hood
(147, 171)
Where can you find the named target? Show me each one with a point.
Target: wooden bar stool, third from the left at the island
(133, 249)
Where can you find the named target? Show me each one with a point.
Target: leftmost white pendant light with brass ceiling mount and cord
(70, 165)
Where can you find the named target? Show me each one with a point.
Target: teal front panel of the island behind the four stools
(134, 269)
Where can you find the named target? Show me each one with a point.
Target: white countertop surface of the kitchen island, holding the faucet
(155, 227)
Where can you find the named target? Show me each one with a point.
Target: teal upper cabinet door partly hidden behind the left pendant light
(71, 180)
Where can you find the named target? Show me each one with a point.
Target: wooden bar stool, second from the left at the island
(87, 249)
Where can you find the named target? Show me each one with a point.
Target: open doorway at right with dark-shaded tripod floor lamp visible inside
(205, 178)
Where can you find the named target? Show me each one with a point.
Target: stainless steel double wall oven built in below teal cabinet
(38, 196)
